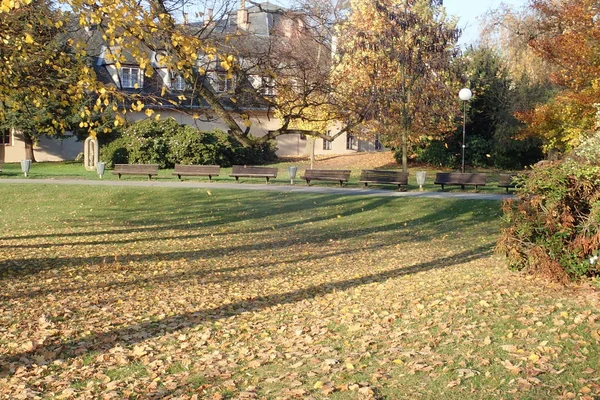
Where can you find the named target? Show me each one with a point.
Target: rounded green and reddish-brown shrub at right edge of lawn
(553, 228)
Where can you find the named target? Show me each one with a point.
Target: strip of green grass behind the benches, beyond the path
(75, 170)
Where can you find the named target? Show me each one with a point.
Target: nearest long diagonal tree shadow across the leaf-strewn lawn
(136, 333)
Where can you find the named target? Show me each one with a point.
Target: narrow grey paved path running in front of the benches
(271, 188)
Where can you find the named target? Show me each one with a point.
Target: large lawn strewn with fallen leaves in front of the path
(180, 293)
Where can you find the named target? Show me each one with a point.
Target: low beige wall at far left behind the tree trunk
(45, 150)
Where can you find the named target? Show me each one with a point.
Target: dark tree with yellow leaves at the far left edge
(42, 81)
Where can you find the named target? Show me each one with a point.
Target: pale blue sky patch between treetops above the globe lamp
(470, 12)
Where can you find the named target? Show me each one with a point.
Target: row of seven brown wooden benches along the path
(367, 176)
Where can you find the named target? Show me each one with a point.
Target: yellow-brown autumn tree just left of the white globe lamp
(395, 67)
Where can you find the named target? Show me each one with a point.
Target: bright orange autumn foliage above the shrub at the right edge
(567, 36)
